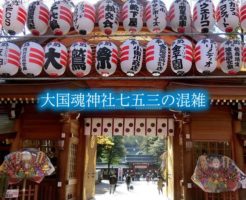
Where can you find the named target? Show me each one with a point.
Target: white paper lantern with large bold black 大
(55, 59)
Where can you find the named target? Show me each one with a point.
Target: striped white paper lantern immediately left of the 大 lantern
(32, 59)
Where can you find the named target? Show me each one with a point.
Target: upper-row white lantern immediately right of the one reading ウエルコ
(227, 15)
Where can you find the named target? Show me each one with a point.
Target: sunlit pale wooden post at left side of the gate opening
(90, 167)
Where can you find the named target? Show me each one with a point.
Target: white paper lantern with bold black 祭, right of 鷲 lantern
(106, 58)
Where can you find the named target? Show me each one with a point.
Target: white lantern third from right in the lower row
(181, 56)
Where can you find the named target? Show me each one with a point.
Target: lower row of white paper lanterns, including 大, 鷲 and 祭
(54, 58)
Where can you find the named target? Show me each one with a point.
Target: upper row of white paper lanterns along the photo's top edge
(60, 17)
